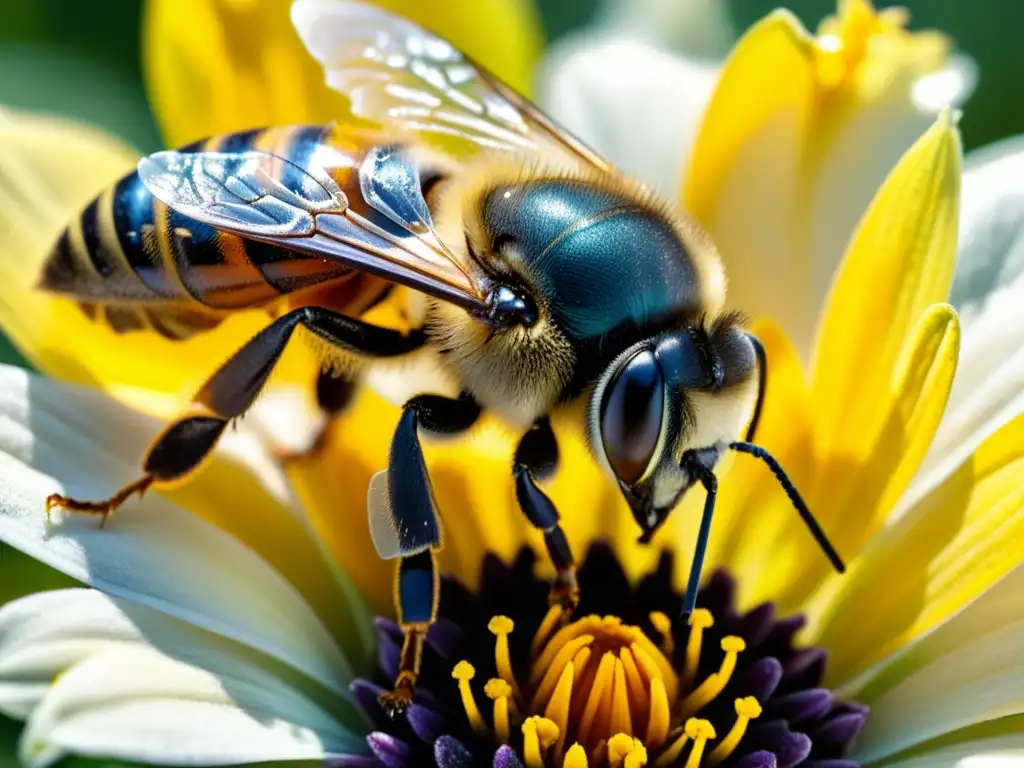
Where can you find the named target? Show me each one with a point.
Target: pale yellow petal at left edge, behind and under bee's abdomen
(50, 169)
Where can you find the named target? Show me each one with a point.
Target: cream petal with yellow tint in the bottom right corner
(969, 671)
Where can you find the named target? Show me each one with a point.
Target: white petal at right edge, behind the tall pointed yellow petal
(989, 389)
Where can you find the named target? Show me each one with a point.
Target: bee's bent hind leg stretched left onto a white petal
(231, 392)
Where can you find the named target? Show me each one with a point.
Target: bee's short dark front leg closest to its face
(537, 455)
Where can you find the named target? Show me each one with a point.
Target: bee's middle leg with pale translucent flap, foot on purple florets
(414, 519)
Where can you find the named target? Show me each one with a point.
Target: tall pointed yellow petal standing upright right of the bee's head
(900, 263)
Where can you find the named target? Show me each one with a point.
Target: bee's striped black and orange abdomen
(135, 264)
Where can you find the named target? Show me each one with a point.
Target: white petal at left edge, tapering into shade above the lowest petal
(44, 635)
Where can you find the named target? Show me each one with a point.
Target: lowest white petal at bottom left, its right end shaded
(137, 704)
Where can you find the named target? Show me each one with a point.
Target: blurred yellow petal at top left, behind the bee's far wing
(221, 66)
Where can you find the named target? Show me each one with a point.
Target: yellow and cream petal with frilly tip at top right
(781, 181)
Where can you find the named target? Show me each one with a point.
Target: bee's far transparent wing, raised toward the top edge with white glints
(398, 74)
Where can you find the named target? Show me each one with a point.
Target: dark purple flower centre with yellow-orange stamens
(626, 684)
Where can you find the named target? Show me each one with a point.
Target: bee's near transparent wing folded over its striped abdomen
(264, 197)
